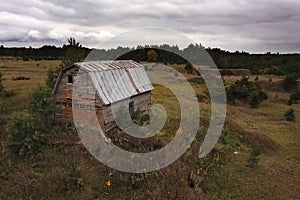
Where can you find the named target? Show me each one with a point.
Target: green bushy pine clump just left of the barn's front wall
(25, 130)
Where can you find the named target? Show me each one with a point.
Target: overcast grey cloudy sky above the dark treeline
(249, 25)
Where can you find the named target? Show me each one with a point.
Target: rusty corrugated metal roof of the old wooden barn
(117, 80)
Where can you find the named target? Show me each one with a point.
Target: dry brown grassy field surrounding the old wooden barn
(64, 169)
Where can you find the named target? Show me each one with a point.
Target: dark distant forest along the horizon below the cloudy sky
(268, 63)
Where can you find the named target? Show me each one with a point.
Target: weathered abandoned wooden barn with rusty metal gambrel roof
(112, 81)
